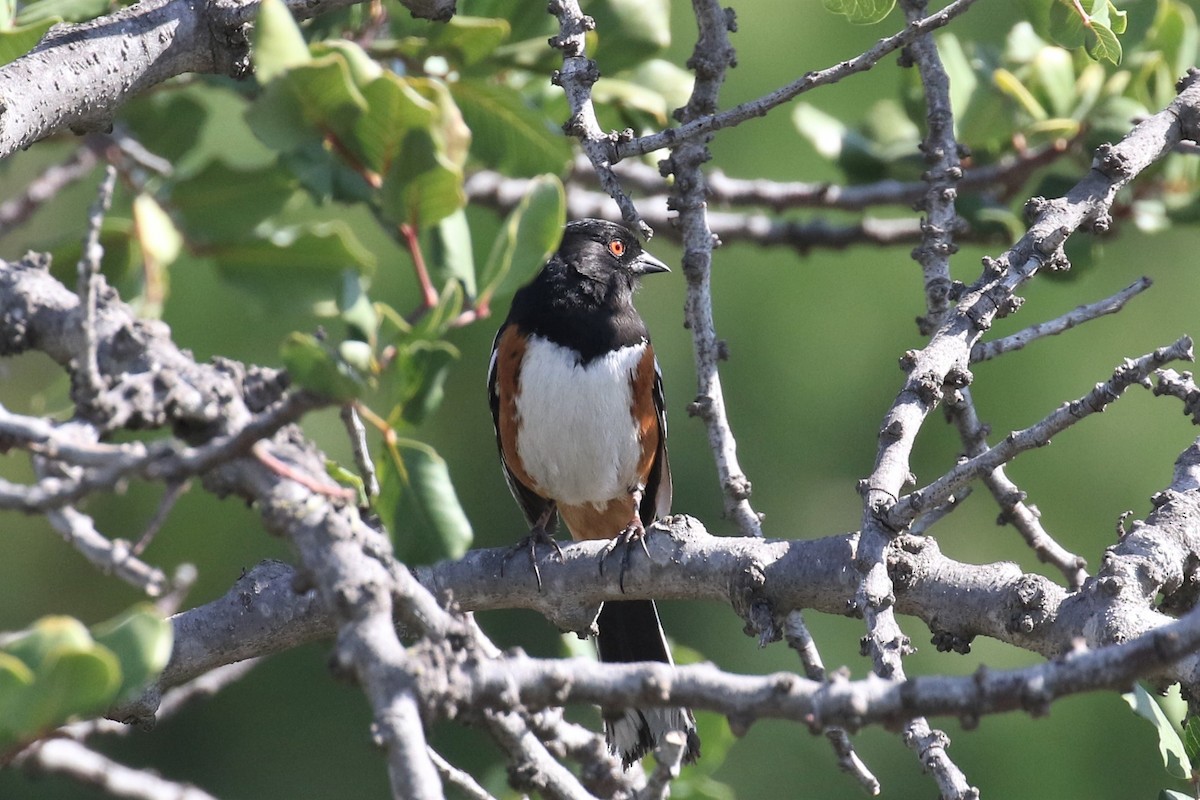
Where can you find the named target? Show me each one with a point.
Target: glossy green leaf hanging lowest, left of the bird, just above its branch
(419, 506)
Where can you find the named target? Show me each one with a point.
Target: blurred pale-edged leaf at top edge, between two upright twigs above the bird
(631, 32)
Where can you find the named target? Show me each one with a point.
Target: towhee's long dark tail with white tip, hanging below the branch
(631, 631)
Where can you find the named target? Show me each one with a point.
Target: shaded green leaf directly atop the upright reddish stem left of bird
(423, 187)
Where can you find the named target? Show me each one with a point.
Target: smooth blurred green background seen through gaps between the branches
(814, 345)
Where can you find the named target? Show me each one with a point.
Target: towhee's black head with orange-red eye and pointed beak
(607, 254)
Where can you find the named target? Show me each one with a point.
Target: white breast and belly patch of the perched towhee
(578, 441)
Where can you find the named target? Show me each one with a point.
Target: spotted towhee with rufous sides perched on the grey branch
(580, 418)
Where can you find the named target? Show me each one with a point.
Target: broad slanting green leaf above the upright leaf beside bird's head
(509, 135)
